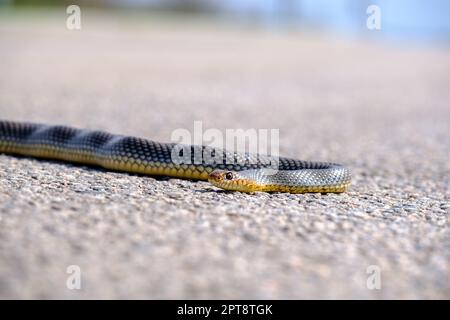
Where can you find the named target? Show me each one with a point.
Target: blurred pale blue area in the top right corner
(408, 20)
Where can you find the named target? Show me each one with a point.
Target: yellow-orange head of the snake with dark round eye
(232, 180)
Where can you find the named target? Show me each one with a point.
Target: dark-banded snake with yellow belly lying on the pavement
(228, 170)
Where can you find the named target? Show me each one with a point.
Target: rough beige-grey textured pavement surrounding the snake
(382, 109)
